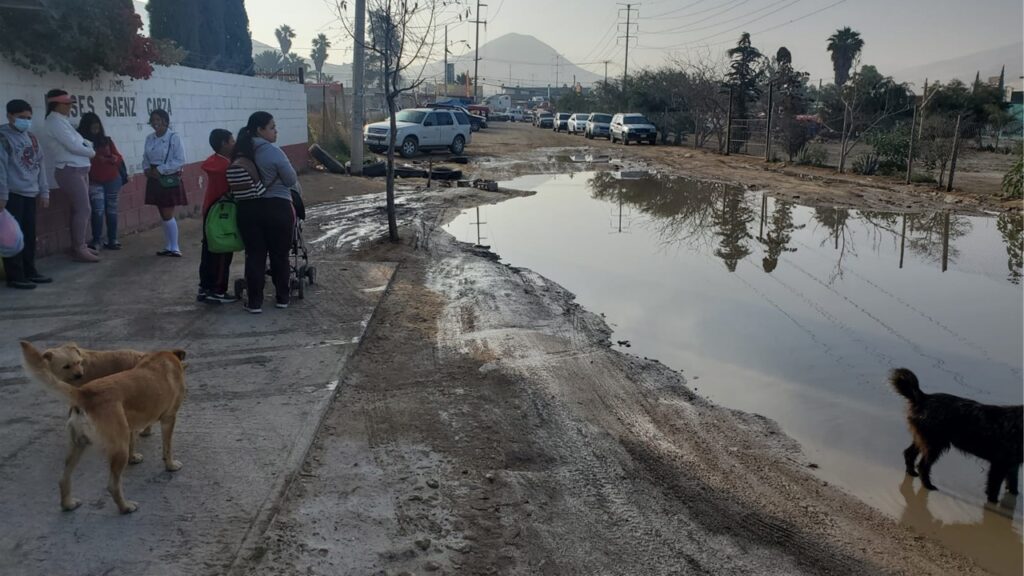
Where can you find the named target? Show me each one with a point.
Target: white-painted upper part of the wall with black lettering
(198, 101)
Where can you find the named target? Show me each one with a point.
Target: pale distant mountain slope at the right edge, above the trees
(989, 63)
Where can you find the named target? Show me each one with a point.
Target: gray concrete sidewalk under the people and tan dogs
(259, 387)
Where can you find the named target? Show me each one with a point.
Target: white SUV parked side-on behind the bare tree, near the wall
(421, 130)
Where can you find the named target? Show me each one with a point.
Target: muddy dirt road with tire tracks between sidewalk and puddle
(487, 427)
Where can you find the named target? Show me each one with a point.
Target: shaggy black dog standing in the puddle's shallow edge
(941, 421)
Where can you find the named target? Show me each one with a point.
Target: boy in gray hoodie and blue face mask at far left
(23, 185)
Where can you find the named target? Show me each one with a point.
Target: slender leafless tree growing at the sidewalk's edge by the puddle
(404, 37)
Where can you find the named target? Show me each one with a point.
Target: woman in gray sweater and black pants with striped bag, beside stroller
(267, 223)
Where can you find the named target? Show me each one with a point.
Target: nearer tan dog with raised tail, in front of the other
(110, 410)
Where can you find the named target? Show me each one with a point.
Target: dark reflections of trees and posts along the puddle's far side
(698, 214)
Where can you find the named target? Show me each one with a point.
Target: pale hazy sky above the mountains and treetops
(899, 34)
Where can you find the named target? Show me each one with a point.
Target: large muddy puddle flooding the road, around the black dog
(797, 314)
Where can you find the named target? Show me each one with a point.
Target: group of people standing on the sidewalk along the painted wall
(91, 172)
